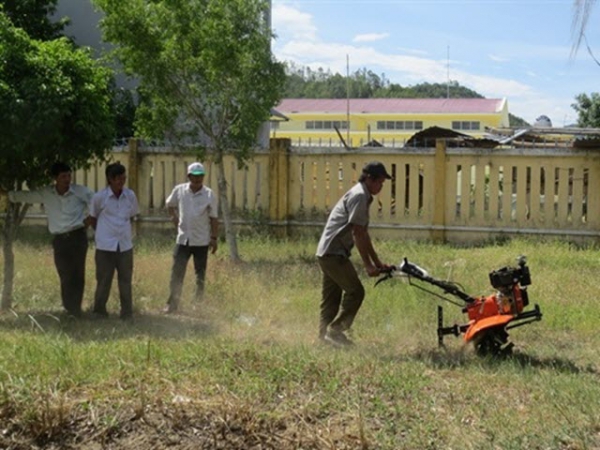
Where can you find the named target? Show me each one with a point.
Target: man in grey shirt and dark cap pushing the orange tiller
(347, 225)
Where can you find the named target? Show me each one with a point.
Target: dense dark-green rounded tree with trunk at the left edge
(55, 104)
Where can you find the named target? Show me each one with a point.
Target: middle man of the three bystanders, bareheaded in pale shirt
(111, 212)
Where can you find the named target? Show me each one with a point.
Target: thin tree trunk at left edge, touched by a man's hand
(14, 216)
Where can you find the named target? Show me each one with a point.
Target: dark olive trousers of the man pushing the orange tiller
(342, 294)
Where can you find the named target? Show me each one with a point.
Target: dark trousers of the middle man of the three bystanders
(106, 265)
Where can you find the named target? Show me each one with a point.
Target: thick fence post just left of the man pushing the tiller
(279, 180)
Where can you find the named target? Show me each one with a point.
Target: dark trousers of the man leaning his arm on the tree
(70, 251)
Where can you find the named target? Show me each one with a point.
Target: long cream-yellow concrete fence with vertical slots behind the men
(445, 194)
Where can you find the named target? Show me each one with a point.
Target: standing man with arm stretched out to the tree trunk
(66, 206)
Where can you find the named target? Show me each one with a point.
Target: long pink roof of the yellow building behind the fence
(391, 105)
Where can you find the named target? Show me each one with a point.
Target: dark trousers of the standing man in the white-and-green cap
(181, 256)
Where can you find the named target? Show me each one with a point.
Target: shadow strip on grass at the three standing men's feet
(89, 328)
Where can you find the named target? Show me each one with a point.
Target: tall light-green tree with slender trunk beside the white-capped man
(206, 71)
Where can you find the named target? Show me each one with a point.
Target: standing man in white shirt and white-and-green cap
(193, 208)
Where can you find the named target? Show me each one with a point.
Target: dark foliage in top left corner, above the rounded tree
(33, 16)
